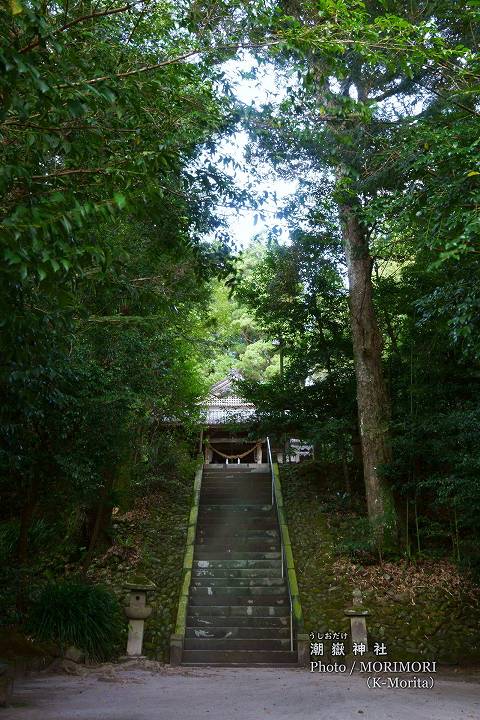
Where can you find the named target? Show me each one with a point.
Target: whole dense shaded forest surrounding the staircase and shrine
(123, 296)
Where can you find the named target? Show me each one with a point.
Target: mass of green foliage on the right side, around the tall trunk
(393, 135)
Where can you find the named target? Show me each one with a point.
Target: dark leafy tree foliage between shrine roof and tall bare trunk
(298, 299)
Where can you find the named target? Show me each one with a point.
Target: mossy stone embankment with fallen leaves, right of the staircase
(419, 610)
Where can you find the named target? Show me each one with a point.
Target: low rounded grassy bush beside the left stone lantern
(76, 613)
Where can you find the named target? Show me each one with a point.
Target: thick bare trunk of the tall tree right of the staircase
(372, 398)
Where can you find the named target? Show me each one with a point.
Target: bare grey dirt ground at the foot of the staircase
(152, 691)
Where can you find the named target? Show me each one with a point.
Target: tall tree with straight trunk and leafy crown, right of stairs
(361, 68)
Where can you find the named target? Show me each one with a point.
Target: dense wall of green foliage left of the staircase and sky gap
(104, 194)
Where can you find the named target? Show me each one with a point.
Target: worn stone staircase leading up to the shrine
(239, 608)
